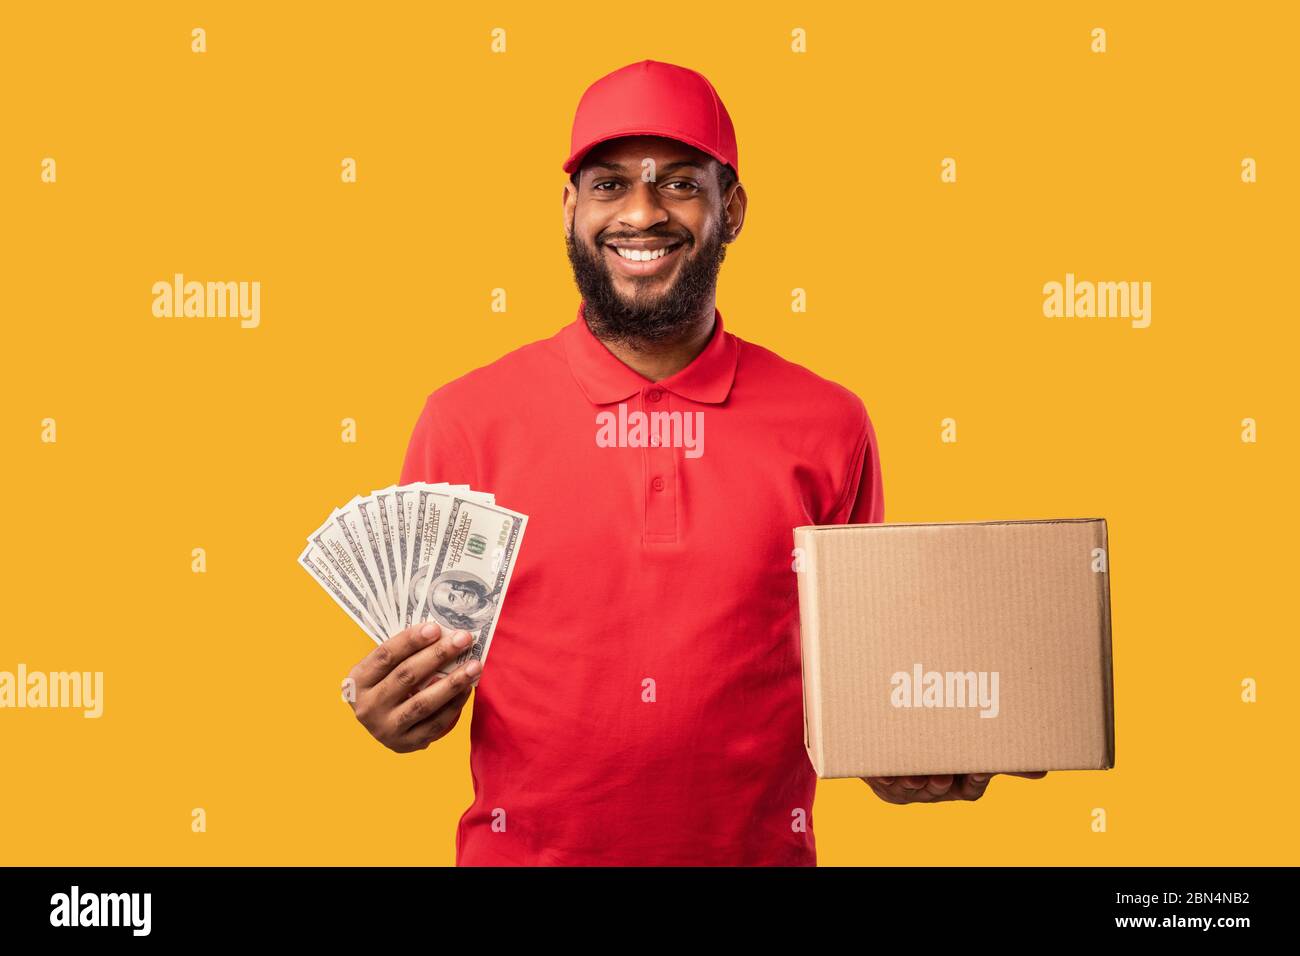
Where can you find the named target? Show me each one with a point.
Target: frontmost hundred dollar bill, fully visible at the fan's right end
(467, 586)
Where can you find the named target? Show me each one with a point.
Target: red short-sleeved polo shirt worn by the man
(643, 699)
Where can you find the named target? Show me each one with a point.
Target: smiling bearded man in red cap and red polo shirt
(644, 703)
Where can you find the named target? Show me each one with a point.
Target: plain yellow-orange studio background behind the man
(222, 689)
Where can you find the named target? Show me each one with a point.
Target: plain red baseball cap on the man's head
(653, 100)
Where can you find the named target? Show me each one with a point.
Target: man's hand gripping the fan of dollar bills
(401, 699)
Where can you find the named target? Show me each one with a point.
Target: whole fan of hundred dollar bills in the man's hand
(421, 552)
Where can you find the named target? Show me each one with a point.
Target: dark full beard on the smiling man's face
(647, 319)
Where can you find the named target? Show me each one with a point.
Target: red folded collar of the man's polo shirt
(605, 379)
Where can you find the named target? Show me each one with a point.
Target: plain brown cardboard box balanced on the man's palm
(956, 648)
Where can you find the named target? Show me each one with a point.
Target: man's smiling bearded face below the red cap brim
(678, 218)
